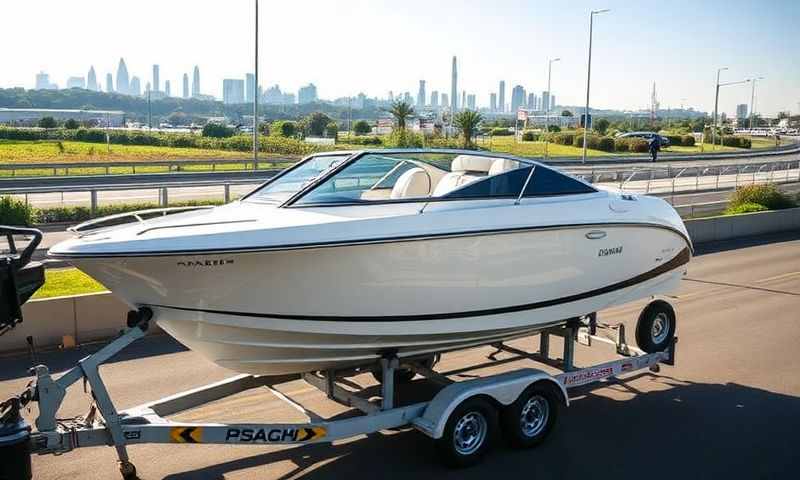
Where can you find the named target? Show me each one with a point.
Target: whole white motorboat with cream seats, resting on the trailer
(349, 256)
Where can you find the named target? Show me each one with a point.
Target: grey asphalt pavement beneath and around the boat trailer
(729, 409)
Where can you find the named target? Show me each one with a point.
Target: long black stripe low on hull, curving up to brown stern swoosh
(679, 260)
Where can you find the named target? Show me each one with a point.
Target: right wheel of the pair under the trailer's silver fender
(529, 420)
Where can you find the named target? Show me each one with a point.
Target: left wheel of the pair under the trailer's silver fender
(468, 434)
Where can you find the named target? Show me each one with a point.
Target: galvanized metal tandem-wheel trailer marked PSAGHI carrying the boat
(462, 417)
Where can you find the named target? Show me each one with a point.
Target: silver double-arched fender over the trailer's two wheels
(504, 388)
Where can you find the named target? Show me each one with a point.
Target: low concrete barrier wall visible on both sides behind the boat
(100, 316)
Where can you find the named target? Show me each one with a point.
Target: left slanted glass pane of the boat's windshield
(294, 180)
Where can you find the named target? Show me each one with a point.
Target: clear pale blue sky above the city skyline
(374, 46)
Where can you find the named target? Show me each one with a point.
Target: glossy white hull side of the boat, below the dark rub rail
(294, 310)
